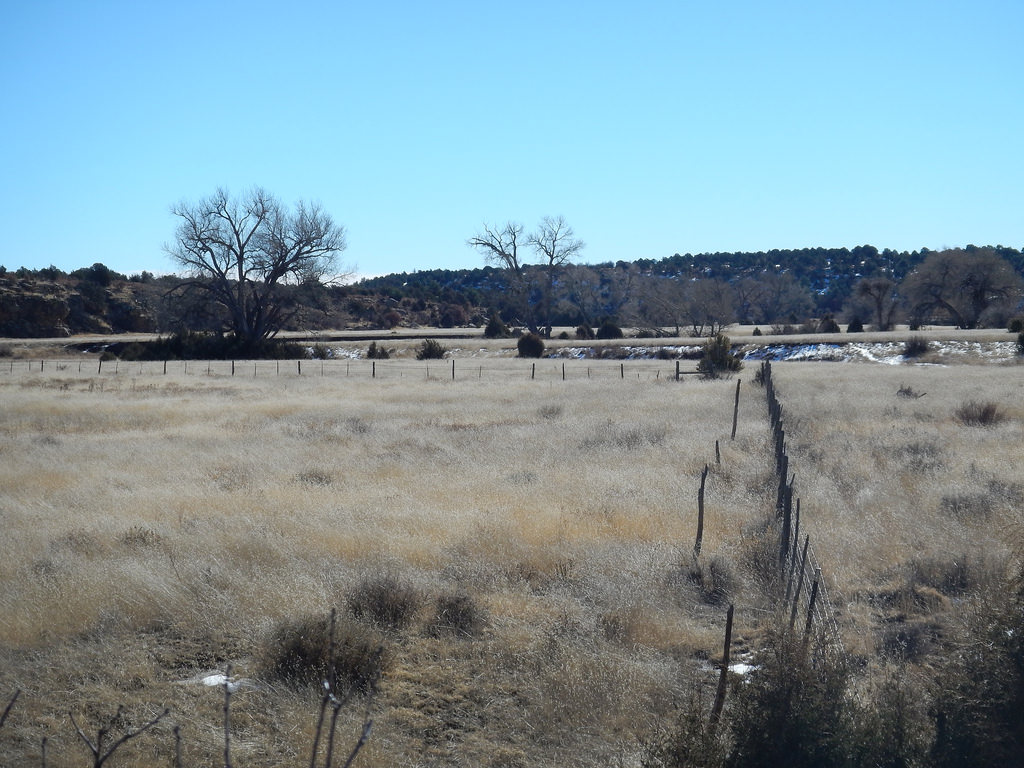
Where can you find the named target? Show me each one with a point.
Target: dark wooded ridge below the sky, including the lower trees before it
(700, 292)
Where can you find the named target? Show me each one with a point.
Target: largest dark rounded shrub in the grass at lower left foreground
(297, 652)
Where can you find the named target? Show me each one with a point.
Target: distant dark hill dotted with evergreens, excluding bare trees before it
(50, 303)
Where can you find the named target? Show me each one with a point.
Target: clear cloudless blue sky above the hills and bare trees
(654, 127)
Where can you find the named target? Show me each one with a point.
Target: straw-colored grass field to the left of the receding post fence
(159, 528)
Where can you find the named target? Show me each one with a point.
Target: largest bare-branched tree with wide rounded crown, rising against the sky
(240, 251)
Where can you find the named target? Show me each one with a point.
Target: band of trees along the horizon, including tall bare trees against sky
(252, 267)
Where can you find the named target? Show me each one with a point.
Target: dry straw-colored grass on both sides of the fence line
(520, 548)
